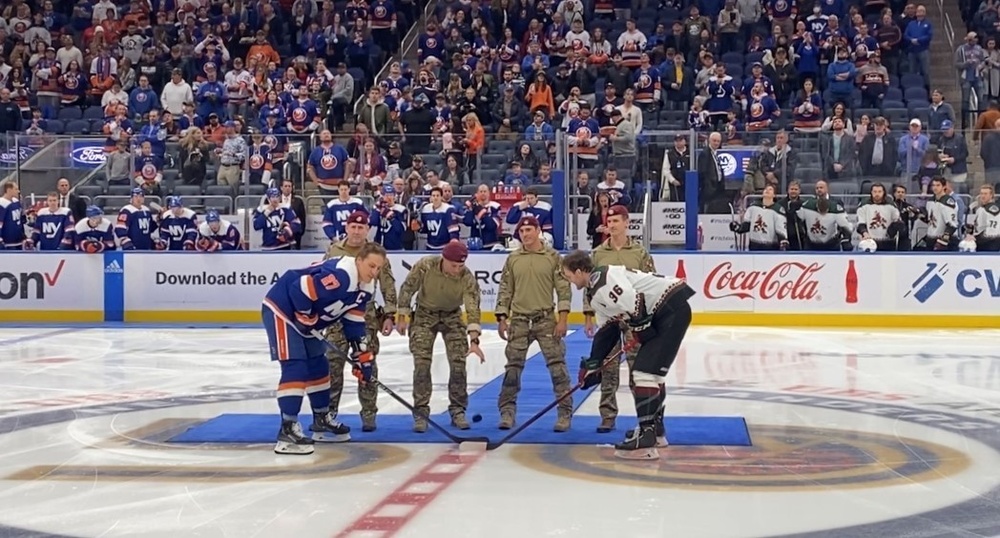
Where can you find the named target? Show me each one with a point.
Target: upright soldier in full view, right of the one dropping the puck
(525, 313)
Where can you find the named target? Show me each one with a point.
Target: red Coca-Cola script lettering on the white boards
(787, 281)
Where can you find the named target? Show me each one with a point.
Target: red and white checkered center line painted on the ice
(406, 501)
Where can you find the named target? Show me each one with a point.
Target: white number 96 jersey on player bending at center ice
(615, 292)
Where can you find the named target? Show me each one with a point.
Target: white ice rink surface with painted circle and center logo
(856, 434)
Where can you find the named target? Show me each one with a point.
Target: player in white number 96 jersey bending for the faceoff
(655, 308)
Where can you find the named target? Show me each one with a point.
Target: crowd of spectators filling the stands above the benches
(194, 93)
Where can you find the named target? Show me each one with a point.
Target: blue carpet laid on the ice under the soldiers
(536, 393)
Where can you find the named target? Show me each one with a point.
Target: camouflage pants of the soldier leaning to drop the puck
(423, 331)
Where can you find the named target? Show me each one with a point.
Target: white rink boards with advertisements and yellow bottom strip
(795, 289)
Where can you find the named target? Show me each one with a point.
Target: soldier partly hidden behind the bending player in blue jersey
(376, 318)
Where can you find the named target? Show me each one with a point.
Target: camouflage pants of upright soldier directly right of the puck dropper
(521, 333)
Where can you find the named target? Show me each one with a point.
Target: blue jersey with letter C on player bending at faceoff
(318, 296)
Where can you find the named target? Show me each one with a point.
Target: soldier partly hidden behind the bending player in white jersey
(618, 249)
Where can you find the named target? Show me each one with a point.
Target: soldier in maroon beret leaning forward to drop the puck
(443, 284)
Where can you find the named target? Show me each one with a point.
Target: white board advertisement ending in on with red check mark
(37, 281)
